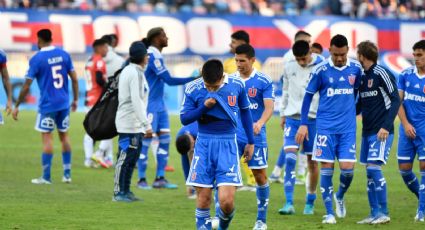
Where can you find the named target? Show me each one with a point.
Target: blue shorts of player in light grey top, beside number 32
(289, 132)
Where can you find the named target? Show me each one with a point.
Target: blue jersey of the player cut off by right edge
(413, 86)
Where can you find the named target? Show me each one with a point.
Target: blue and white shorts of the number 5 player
(46, 122)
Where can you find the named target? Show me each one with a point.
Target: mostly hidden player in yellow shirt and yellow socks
(238, 38)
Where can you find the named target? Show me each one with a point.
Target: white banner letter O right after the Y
(355, 32)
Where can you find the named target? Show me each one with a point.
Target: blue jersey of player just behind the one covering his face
(259, 88)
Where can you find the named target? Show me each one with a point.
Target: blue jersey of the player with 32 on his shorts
(337, 111)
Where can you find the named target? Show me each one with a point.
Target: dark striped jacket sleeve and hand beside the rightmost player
(390, 87)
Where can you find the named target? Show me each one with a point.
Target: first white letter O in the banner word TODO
(125, 27)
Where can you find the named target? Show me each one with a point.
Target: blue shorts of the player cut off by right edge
(408, 148)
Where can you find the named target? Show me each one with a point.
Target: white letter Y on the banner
(314, 28)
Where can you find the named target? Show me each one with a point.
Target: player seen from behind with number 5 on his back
(50, 66)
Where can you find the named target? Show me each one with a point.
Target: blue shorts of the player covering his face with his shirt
(215, 159)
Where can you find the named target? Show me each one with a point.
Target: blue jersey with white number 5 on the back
(50, 67)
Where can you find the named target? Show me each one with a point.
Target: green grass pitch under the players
(86, 203)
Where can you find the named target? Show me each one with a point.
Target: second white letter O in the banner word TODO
(209, 35)
